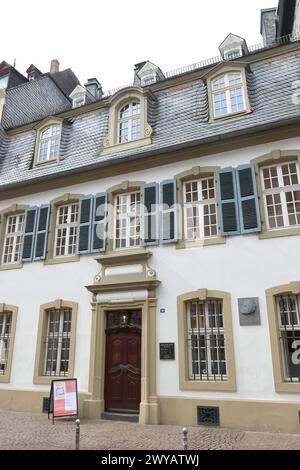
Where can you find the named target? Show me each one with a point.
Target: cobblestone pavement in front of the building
(34, 431)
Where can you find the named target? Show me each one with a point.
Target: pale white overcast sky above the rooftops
(105, 38)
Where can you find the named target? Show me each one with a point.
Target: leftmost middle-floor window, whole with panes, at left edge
(13, 239)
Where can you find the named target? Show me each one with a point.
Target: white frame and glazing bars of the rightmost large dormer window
(226, 90)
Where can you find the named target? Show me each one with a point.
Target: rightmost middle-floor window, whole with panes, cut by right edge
(281, 193)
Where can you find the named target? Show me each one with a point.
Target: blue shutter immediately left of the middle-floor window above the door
(99, 223)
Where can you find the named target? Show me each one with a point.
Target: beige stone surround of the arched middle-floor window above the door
(124, 187)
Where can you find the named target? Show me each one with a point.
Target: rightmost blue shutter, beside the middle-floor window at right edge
(248, 199)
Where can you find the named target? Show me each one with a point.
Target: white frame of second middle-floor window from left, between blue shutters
(66, 226)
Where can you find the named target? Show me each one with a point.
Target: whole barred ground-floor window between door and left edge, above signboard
(57, 342)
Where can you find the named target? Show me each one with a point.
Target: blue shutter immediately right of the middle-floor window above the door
(150, 214)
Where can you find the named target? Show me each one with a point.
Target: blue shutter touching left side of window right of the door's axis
(168, 212)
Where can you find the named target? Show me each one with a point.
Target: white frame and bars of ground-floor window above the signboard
(60, 335)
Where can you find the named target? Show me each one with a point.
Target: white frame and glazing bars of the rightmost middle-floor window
(281, 190)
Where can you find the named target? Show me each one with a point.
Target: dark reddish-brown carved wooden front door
(123, 371)
